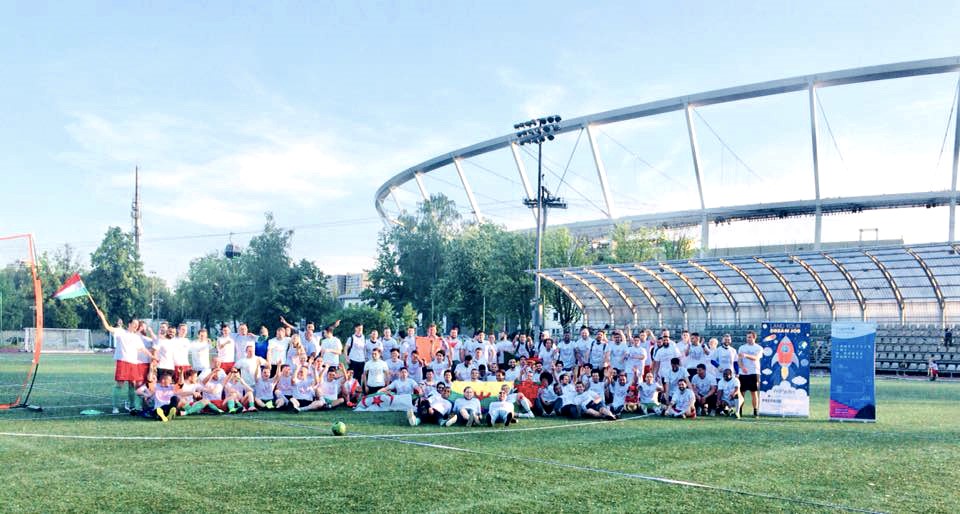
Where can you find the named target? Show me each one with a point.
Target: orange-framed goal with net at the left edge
(21, 307)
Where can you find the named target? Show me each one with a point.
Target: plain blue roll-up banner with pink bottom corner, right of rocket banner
(852, 365)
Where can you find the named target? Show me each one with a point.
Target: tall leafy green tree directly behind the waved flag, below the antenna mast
(116, 280)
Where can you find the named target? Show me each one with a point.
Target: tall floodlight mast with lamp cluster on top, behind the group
(537, 132)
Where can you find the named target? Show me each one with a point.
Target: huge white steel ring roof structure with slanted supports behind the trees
(702, 216)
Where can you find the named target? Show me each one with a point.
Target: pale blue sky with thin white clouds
(303, 109)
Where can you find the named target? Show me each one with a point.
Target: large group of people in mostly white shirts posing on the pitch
(597, 374)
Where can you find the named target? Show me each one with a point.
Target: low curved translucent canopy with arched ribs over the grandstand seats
(905, 284)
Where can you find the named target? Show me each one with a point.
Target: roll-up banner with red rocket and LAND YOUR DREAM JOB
(785, 369)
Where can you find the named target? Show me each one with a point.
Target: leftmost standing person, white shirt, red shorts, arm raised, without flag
(129, 372)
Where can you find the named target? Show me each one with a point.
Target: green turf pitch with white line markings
(909, 461)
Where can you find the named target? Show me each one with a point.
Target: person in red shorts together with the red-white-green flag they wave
(130, 345)
